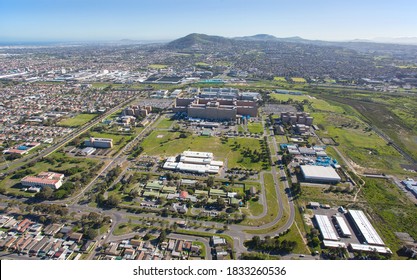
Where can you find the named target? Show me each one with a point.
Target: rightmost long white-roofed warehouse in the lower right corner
(365, 228)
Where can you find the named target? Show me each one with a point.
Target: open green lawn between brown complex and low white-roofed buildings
(165, 143)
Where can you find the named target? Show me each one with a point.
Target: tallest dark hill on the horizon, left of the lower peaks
(196, 40)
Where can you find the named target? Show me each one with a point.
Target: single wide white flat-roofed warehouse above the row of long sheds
(320, 174)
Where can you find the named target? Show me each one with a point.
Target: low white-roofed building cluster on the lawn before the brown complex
(194, 162)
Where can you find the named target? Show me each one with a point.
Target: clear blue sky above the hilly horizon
(170, 19)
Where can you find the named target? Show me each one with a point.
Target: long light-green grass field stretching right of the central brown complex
(340, 122)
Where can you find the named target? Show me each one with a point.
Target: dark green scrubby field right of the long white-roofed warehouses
(390, 210)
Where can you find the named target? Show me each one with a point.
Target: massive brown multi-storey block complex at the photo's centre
(215, 109)
